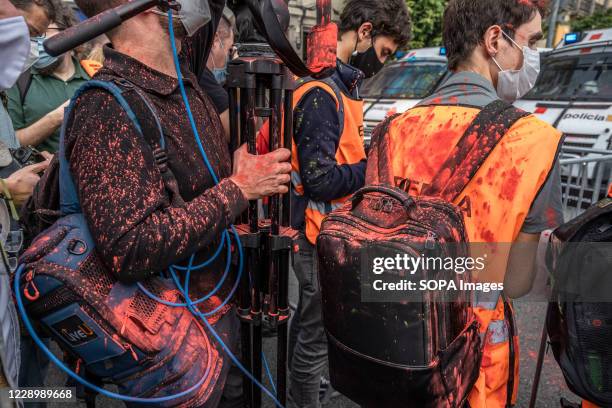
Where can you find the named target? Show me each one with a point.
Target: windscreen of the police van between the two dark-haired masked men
(409, 80)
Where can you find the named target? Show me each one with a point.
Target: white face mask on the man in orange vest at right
(514, 84)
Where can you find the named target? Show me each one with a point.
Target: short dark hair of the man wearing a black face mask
(388, 17)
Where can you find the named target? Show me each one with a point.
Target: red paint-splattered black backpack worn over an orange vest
(423, 350)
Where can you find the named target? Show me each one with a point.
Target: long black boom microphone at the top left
(100, 24)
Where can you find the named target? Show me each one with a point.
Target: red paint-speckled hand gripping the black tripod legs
(261, 176)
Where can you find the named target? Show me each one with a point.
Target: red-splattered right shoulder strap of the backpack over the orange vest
(473, 149)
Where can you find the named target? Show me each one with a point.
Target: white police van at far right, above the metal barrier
(574, 90)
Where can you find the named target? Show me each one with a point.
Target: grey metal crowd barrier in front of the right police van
(585, 177)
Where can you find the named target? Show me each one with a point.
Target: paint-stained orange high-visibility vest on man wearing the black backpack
(499, 197)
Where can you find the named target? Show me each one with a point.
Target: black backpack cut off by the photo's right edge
(579, 319)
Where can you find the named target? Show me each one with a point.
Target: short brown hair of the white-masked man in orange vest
(466, 22)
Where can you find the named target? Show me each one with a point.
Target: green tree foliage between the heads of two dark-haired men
(426, 22)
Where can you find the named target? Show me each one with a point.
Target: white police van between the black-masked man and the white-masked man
(402, 84)
